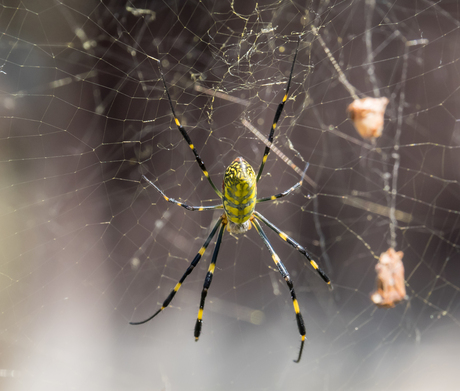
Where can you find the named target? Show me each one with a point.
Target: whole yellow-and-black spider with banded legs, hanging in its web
(239, 198)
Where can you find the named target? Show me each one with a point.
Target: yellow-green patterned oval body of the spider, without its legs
(239, 194)
